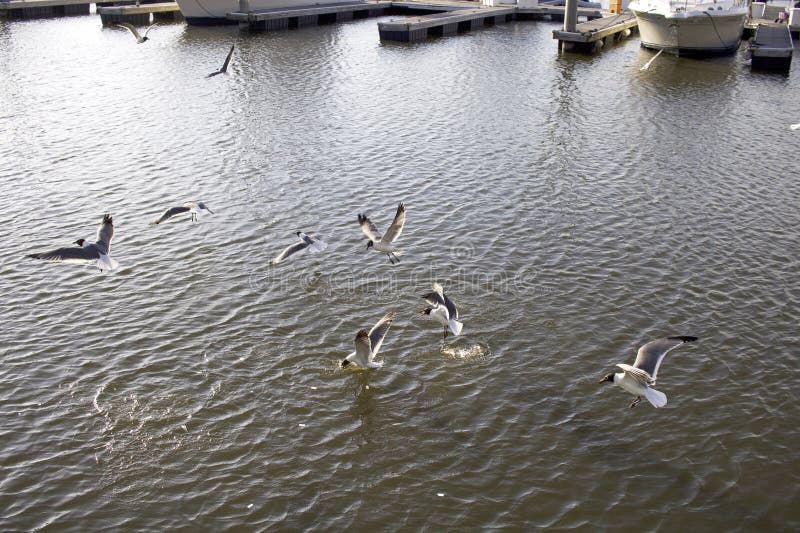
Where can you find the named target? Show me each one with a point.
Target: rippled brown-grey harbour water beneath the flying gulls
(574, 207)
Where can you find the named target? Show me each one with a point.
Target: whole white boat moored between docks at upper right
(691, 27)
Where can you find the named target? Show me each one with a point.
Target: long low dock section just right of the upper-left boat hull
(282, 18)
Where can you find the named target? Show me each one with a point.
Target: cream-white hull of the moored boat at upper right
(694, 33)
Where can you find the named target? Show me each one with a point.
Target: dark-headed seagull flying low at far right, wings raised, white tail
(638, 379)
